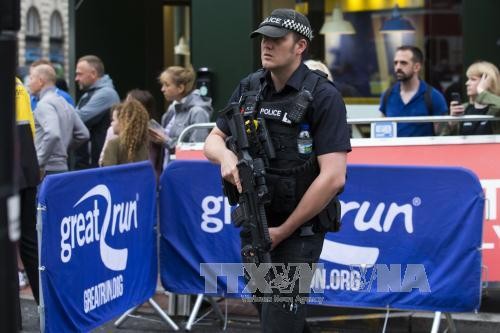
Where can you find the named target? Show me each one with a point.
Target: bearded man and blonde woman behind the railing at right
(411, 96)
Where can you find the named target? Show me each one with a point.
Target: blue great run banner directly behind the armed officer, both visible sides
(410, 238)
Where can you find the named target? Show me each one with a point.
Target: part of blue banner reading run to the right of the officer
(410, 239)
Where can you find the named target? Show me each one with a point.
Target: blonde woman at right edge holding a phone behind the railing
(483, 90)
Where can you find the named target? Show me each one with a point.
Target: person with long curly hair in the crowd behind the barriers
(130, 123)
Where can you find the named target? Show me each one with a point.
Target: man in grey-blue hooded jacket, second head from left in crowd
(93, 107)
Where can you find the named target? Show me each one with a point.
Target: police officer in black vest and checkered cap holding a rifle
(304, 186)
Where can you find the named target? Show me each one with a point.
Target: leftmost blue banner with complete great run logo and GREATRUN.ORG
(98, 246)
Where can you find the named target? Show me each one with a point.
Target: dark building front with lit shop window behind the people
(452, 34)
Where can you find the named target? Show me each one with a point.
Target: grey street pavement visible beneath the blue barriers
(241, 318)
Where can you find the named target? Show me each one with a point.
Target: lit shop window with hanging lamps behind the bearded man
(362, 63)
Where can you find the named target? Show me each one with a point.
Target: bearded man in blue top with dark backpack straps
(411, 96)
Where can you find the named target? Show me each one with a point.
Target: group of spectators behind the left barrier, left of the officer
(57, 135)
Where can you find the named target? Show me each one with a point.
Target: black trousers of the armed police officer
(282, 311)
